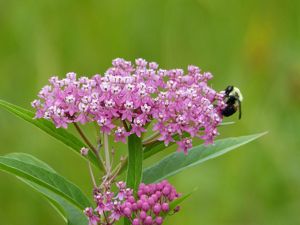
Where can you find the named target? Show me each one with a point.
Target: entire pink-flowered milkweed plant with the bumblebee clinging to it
(148, 109)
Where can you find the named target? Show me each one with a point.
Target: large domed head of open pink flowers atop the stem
(128, 97)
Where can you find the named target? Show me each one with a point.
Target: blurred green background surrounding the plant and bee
(252, 44)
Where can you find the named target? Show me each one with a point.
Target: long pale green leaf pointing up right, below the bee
(177, 161)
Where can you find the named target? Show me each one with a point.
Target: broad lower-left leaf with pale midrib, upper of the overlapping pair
(44, 179)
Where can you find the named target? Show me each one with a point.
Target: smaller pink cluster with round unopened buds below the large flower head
(149, 208)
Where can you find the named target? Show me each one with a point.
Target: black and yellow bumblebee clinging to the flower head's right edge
(233, 98)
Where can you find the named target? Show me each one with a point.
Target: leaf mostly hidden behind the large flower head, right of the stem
(158, 146)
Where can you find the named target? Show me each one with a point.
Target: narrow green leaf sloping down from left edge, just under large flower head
(47, 126)
